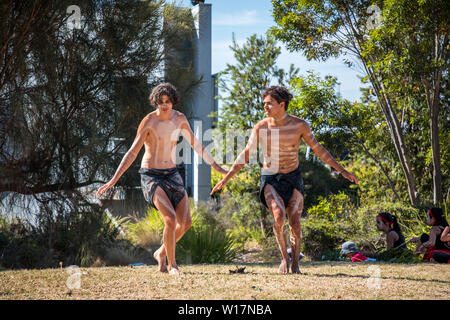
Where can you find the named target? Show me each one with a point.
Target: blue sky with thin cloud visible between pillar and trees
(246, 17)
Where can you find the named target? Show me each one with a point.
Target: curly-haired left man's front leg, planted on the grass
(165, 207)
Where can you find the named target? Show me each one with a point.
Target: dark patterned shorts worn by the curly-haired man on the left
(167, 179)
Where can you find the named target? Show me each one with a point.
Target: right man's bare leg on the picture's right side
(294, 211)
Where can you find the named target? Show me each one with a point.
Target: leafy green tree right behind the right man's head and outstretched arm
(341, 126)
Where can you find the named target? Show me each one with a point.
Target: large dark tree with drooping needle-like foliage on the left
(72, 98)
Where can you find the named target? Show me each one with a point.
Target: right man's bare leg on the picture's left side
(276, 206)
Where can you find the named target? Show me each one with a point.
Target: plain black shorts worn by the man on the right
(283, 183)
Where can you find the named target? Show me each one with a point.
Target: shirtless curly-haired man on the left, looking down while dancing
(161, 183)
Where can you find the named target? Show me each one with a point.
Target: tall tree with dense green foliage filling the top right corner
(414, 40)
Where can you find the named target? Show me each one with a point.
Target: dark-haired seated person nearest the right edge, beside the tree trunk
(432, 246)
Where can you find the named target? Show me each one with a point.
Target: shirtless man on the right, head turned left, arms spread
(280, 135)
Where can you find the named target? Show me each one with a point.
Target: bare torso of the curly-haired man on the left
(161, 140)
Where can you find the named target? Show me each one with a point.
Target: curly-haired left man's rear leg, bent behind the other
(183, 224)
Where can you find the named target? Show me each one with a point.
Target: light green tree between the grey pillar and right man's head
(243, 83)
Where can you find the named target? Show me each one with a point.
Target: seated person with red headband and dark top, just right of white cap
(388, 224)
